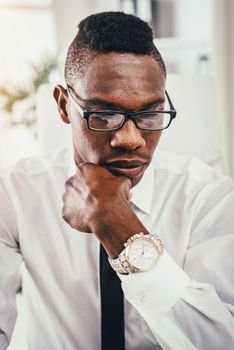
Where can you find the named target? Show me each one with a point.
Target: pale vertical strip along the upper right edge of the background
(224, 53)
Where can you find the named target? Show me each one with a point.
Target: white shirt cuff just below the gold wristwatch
(157, 290)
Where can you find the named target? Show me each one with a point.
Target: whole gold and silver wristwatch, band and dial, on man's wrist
(141, 253)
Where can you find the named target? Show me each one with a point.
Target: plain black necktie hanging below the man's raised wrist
(112, 306)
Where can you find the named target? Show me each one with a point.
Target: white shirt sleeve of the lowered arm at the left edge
(10, 261)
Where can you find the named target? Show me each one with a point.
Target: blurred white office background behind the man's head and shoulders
(195, 38)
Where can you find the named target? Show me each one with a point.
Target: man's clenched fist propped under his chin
(92, 194)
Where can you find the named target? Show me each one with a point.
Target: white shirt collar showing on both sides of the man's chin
(142, 193)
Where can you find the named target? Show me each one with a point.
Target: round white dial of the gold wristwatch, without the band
(142, 253)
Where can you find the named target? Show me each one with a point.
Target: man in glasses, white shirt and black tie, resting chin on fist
(166, 224)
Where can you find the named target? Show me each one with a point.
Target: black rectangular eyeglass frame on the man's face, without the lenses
(127, 115)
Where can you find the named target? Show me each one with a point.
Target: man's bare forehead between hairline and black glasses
(127, 80)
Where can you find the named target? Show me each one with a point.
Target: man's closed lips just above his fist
(128, 168)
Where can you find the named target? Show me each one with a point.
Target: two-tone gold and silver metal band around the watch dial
(121, 264)
